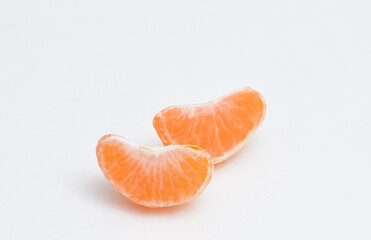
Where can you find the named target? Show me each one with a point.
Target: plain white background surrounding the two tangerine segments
(72, 71)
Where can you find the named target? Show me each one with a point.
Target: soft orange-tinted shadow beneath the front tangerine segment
(102, 192)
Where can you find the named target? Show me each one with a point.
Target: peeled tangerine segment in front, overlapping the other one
(159, 177)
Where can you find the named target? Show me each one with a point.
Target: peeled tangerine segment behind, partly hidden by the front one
(221, 126)
